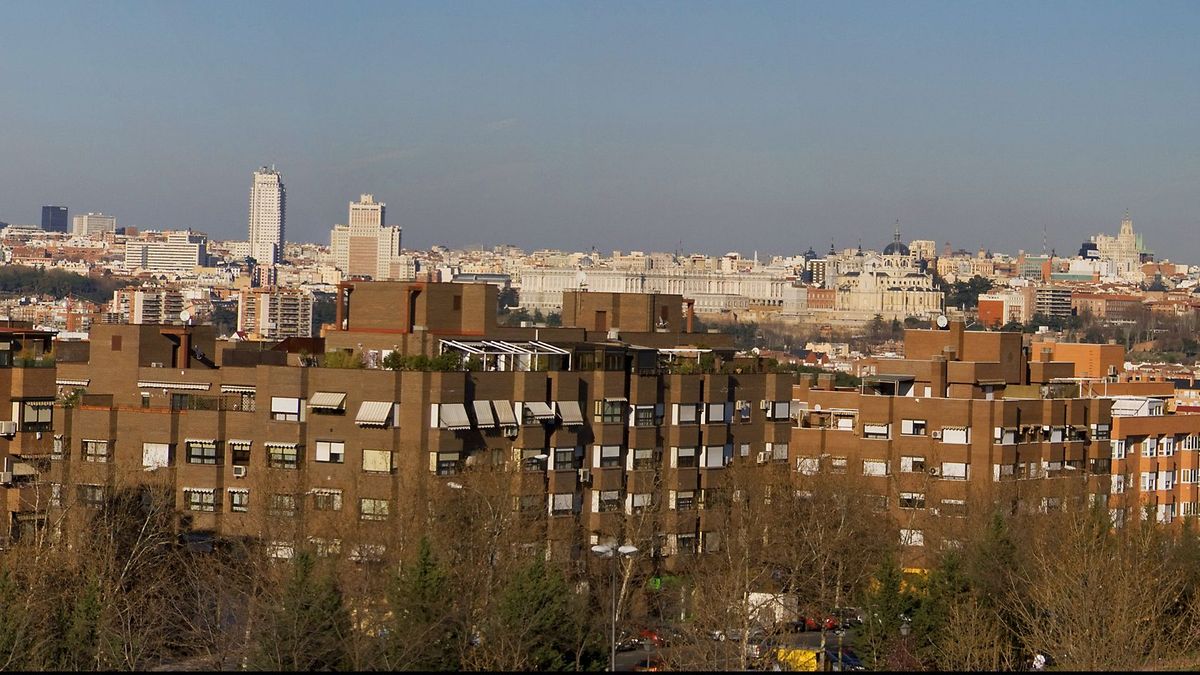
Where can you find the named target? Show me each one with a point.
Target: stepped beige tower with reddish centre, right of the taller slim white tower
(367, 248)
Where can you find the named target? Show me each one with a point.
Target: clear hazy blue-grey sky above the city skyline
(703, 127)
